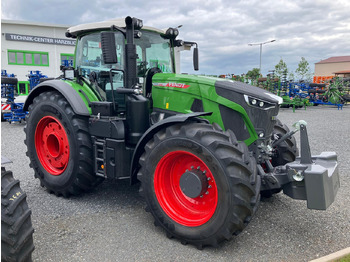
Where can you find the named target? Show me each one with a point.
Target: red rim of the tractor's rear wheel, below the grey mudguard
(52, 145)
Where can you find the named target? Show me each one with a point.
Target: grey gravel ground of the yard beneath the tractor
(110, 223)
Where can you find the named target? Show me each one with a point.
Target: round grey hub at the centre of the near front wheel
(193, 183)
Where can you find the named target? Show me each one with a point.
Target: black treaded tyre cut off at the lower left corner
(16, 225)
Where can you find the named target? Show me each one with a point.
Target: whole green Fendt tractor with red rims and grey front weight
(204, 149)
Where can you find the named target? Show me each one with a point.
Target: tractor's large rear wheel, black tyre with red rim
(63, 160)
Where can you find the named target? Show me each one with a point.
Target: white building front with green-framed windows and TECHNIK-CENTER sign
(27, 46)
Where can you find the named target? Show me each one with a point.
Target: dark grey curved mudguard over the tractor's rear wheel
(66, 90)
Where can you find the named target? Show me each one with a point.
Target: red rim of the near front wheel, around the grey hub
(179, 207)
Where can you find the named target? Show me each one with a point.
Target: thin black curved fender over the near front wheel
(180, 118)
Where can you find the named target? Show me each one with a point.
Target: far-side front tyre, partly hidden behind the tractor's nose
(287, 151)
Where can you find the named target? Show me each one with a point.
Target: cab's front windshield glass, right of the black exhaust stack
(153, 51)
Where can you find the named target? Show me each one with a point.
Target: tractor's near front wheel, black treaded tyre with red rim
(228, 166)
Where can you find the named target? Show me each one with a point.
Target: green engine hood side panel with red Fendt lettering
(182, 93)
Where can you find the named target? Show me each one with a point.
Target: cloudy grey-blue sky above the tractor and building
(315, 29)
